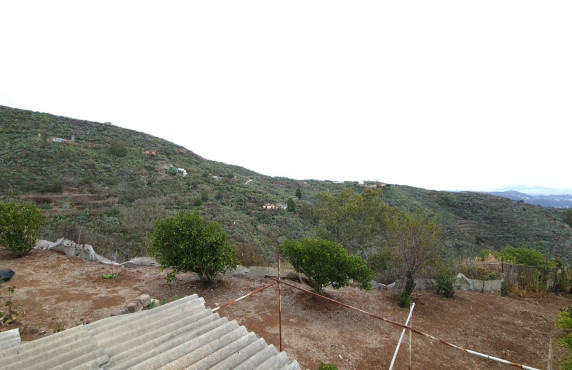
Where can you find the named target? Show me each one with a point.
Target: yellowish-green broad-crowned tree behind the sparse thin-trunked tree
(356, 221)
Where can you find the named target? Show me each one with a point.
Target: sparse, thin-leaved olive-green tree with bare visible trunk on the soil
(417, 240)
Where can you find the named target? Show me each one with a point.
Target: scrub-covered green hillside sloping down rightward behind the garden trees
(106, 186)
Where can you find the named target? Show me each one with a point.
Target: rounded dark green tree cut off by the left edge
(20, 225)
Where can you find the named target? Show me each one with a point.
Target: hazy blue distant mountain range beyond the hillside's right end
(545, 197)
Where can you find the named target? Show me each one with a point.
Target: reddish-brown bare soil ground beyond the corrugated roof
(56, 292)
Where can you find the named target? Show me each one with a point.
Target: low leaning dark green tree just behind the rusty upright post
(326, 263)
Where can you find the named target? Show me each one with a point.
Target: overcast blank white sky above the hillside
(445, 95)
